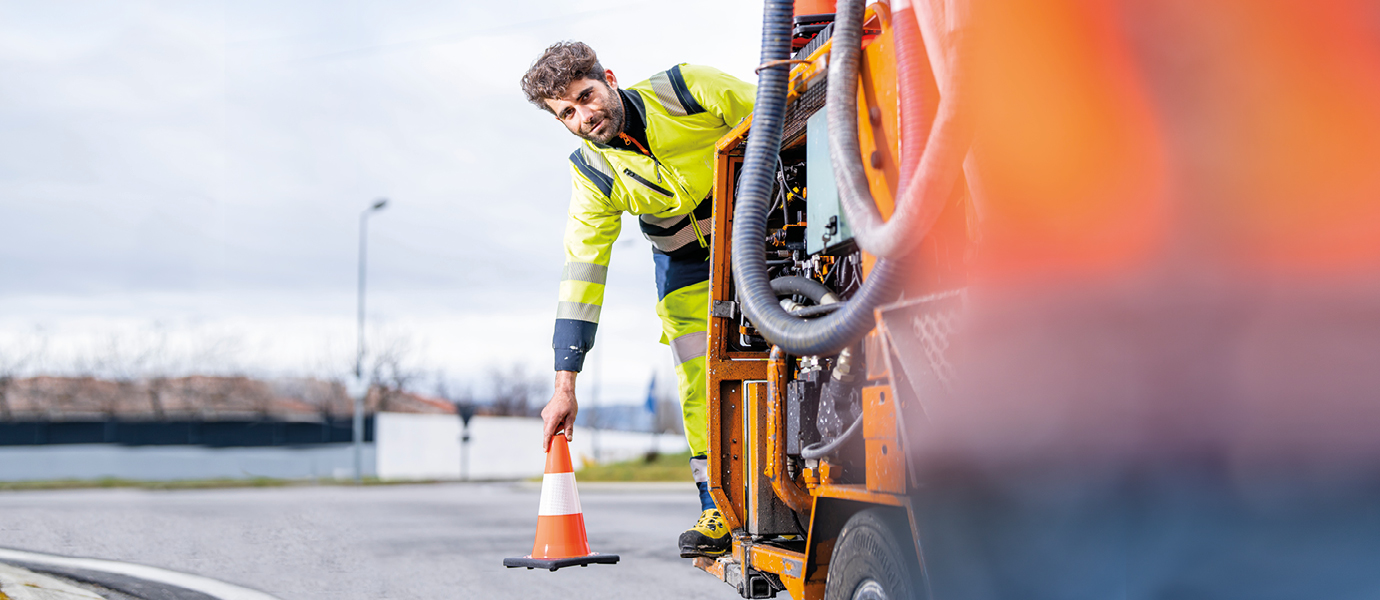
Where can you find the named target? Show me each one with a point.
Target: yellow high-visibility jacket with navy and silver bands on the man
(685, 110)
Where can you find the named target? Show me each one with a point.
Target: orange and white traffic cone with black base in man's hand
(561, 525)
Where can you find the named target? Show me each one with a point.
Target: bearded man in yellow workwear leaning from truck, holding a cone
(648, 150)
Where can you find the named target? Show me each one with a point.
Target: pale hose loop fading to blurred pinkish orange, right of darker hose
(929, 168)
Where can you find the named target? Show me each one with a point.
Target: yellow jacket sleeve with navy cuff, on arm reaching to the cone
(591, 230)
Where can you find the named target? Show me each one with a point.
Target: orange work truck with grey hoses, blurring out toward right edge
(1094, 173)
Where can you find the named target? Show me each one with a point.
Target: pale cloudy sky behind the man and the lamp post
(195, 173)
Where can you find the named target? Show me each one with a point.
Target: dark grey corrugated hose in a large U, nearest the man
(801, 337)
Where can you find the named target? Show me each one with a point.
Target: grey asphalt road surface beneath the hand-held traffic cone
(434, 541)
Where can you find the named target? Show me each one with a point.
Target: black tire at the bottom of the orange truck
(876, 559)
